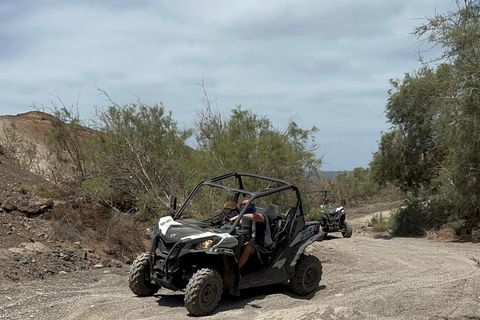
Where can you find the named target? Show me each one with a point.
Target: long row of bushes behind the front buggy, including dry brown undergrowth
(130, 158)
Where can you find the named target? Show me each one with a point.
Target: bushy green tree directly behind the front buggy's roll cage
(245, 141)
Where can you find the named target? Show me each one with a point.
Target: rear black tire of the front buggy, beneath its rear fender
(308, 273)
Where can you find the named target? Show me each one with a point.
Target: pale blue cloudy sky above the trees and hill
(321, 63)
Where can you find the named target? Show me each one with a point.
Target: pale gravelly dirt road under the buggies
(365, 277)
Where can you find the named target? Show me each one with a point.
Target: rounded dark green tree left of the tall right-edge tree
(409, 155)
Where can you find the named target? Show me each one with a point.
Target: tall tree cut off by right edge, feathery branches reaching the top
(459, 33)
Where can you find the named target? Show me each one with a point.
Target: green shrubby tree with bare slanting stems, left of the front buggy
(141, 152)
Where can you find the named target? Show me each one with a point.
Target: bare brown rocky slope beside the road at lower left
(28, 248)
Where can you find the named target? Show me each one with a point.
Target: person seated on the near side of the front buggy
(261, 239)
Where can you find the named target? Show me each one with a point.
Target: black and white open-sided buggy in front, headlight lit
(194, 250)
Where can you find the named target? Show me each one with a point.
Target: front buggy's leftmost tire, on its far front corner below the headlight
(139, 280)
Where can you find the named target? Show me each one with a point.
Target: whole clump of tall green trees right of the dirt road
(432, 150)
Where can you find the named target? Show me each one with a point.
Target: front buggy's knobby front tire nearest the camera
(203, 292)
